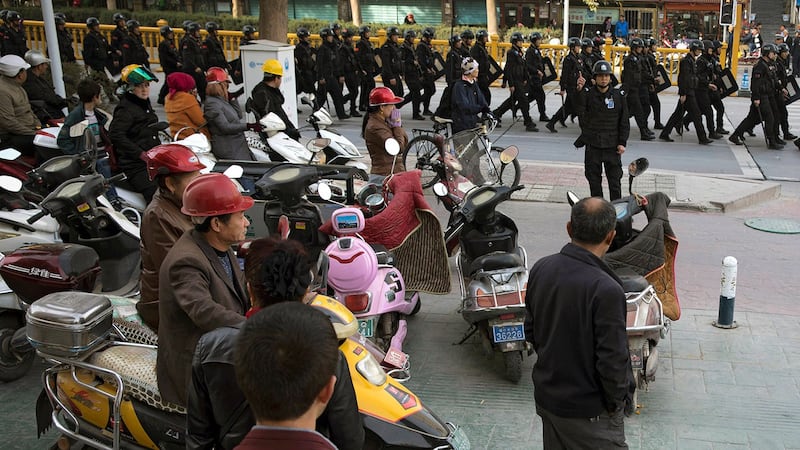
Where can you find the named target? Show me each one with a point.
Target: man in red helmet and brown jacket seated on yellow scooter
(201, 286)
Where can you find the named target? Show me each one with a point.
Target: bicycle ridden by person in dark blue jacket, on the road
(427, 149)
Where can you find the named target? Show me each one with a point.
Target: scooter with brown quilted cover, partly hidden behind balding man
(645, 262)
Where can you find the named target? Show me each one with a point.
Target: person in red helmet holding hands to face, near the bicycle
(382, 122)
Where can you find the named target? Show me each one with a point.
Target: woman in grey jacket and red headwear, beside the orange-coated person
(224, 119)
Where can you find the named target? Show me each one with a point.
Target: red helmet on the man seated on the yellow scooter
(213, 194)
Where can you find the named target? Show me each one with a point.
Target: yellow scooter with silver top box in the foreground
(103, 392)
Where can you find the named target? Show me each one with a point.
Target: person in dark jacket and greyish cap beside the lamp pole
(46, 104)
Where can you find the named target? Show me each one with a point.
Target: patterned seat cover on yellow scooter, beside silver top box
(137, 367)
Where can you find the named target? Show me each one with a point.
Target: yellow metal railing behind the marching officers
(669, 57)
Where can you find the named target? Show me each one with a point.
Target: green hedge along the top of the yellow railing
(175, 18)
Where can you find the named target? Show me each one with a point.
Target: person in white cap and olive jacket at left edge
(19, 124)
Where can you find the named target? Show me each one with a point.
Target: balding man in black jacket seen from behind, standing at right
(576, 306)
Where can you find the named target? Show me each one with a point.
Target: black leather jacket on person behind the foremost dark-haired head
(215, 402)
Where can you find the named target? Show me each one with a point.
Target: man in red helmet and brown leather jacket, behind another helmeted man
(171, 167)
